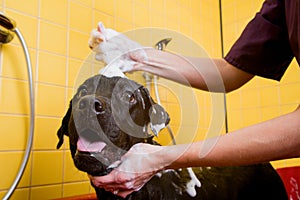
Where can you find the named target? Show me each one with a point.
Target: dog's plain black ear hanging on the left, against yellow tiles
(63, 130)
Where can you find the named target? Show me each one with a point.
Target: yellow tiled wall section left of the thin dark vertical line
(56, 32)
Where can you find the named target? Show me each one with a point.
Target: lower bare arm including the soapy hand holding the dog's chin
(267, 141)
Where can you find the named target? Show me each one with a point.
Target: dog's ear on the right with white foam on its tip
(159, 118)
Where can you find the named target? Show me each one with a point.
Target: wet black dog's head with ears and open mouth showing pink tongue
(105, 118)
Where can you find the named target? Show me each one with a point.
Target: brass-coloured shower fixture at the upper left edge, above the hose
(7, 27)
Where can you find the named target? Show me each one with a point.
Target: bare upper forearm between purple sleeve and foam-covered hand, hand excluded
(208, 74)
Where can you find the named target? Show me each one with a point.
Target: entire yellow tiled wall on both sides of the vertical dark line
(57, 31)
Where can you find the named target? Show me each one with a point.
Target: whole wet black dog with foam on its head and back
(109, 115)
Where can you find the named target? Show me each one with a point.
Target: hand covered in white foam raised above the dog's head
(111, 46)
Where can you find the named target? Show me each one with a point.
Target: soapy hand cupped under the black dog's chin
(134, 170)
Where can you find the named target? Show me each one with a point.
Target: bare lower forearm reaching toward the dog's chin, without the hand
(268, 141)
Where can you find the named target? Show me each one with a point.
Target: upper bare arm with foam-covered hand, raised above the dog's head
(215, 75)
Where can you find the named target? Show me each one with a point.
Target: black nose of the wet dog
(90, 102)
